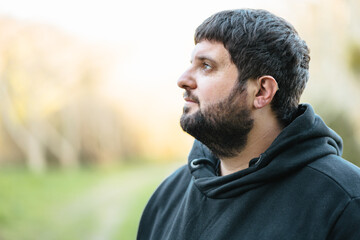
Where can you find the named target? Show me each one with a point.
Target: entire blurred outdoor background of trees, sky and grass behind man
(89, 106)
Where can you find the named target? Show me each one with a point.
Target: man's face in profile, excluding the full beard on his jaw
(210, 77)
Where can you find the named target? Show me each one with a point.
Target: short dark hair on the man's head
(261, 43)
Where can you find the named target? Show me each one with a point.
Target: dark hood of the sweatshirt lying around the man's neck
(303, 141)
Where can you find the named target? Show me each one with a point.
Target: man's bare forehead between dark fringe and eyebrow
(211, 50)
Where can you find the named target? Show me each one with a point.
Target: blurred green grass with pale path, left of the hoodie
(82, 204)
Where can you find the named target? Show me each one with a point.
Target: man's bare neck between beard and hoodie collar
(264, 132)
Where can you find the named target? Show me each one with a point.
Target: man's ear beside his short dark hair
(267, 87)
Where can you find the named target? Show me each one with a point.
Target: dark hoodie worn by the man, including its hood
(299, 188)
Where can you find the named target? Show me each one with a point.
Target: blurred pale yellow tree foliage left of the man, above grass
(51, 102)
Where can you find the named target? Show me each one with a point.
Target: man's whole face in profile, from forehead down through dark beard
(215, 110)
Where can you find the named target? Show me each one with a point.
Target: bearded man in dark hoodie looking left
(262, 166)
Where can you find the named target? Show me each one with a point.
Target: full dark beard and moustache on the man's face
(223, 127)
